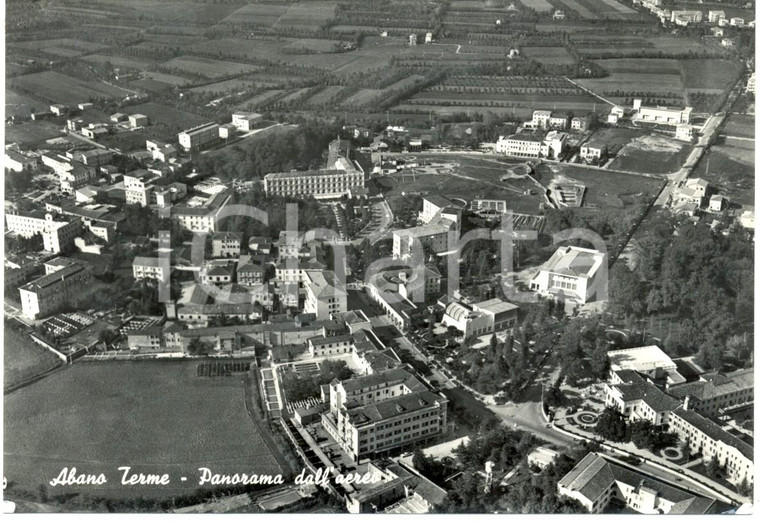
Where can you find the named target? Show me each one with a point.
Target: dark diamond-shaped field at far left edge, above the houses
(59, 88)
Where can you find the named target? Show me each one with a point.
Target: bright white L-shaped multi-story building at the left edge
(58, 232)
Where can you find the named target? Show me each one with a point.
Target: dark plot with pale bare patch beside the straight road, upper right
(652, 154)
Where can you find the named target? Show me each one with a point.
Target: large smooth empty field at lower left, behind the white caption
(156, 417)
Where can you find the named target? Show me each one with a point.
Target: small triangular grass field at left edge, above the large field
(23, 359)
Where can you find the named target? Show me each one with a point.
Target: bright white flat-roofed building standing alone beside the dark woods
(573, 273)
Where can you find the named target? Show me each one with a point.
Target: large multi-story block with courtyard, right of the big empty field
(375, 414)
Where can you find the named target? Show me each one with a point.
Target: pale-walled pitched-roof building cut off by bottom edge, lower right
(594, 481)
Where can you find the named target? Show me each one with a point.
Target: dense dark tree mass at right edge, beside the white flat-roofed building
(697, 280)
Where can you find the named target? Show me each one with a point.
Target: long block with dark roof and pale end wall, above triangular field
(50, 292)
